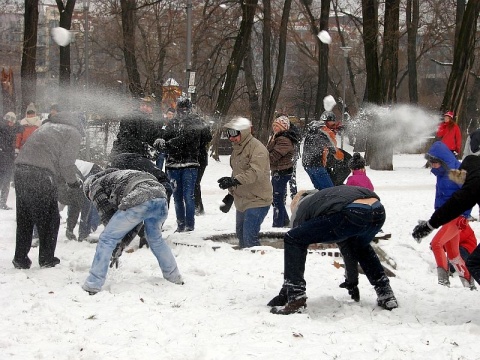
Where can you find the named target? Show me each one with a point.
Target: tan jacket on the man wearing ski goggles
(251, 167)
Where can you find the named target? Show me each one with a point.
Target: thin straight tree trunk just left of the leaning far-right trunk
(413, 10)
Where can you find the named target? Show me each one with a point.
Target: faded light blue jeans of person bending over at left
(153, 213)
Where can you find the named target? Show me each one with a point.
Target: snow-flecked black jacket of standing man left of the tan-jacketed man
(184, 136)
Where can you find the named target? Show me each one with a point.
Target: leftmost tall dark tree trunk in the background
(29, 54)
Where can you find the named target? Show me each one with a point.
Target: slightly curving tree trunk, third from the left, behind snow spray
(128, 29)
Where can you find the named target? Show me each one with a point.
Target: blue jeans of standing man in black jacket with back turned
(183, 184)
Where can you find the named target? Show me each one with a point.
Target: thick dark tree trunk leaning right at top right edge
(464, 55)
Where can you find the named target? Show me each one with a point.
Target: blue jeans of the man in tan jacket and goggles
(248, 226)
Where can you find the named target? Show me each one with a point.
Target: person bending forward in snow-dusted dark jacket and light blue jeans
(124, 199)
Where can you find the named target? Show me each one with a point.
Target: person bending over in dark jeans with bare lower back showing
(349, 215)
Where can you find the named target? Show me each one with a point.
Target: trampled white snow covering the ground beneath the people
(221, 312)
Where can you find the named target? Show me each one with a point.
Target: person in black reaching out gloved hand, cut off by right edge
(468, 175)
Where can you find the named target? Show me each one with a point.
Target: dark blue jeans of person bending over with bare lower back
(355, 225)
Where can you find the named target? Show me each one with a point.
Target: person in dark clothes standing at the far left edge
(9, 128)
